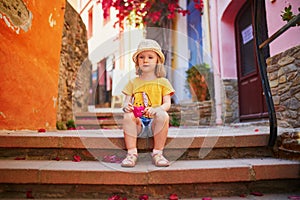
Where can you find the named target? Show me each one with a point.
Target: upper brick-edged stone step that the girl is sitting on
(182, 144)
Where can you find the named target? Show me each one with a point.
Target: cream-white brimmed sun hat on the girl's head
(149, 45)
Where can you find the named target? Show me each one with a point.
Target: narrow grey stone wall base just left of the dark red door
(231, 101)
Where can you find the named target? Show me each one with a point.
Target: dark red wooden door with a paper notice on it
(251, 99)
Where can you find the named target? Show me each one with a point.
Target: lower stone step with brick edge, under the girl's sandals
(94, 179)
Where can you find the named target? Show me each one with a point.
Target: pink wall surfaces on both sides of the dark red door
(222, 16)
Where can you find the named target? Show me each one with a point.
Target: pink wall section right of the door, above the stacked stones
(288, 39)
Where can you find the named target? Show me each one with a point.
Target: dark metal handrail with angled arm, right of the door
(260, 45)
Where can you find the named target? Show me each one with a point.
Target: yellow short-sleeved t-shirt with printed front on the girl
(154, 90)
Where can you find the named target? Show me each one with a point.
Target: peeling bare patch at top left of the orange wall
(16, 15)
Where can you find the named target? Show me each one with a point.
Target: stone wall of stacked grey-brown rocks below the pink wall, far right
(283, 72)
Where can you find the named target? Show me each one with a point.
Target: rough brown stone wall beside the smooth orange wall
(75, 68)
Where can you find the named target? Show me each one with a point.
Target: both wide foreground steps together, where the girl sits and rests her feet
(207, 161)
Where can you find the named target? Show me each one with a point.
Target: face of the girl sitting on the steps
(147, 61)
